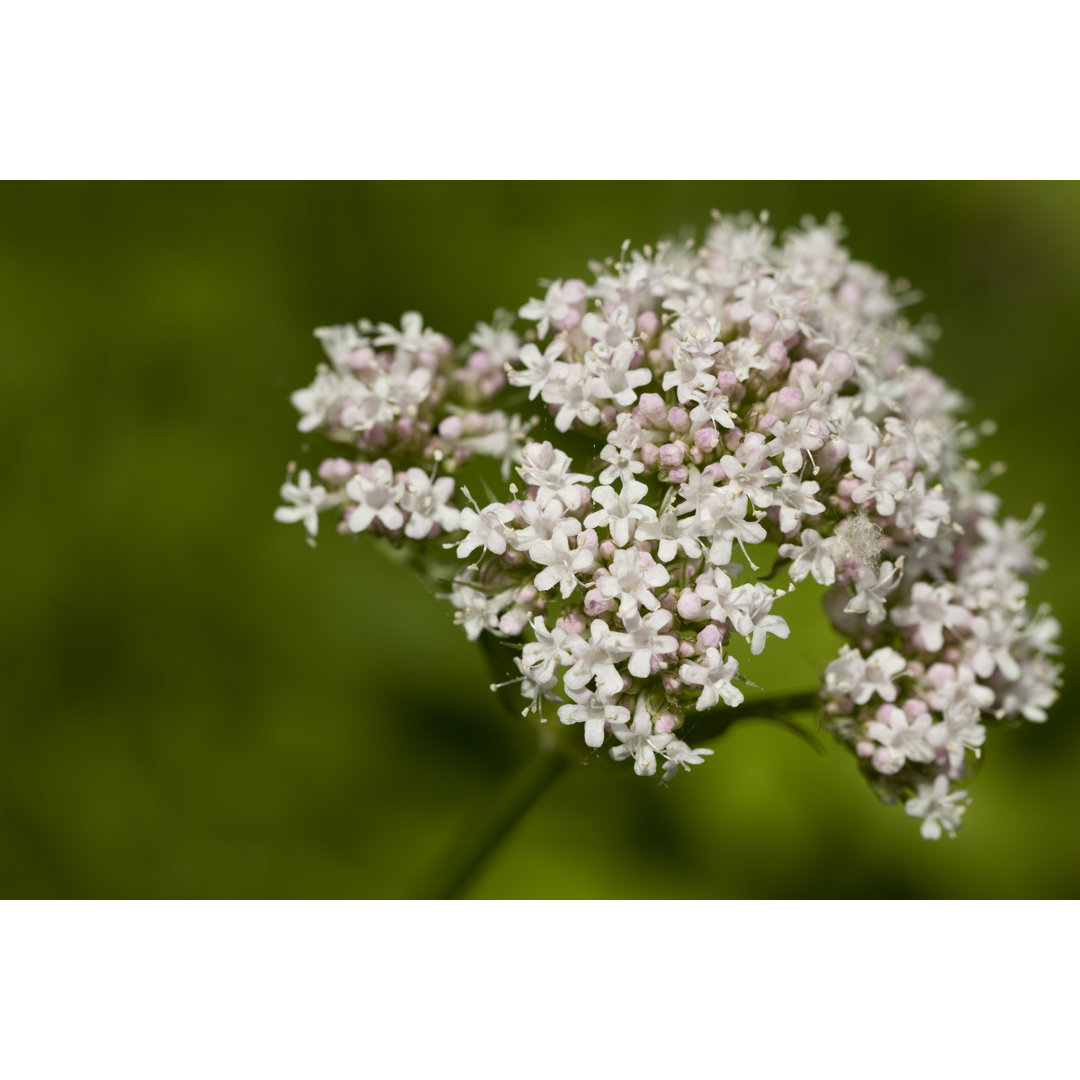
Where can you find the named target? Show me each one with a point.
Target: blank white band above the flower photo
(587, 90)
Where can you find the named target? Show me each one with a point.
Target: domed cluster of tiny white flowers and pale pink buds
(664, 444)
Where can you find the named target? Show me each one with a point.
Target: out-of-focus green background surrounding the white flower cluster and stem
(198, 705)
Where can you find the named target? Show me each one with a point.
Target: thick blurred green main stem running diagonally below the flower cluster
(481, 838)
